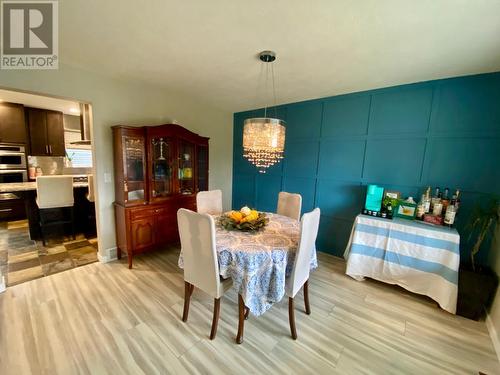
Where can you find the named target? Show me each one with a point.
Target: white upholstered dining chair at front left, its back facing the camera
(201, 267)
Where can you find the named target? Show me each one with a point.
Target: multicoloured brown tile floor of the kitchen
(22, 259)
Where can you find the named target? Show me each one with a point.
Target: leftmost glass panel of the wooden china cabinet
(134, 168)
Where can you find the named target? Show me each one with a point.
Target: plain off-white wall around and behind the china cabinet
(129, 103)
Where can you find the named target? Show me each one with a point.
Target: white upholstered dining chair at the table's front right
(302, 265)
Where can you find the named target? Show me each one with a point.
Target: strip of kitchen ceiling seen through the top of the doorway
(39, 101)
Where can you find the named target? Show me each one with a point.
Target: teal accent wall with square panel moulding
(440, 133)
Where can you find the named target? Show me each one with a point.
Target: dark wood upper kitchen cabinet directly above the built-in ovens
(12, 124)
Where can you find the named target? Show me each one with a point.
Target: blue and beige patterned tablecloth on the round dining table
(259, 262)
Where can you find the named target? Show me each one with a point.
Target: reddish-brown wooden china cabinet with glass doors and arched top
(158, 169)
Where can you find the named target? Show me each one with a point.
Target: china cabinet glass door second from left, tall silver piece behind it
(162, 167)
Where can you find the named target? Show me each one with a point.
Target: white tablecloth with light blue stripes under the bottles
(421, 258)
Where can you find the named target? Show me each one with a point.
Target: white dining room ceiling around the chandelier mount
(207, 49)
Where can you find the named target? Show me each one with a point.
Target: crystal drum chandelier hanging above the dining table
(264, 137)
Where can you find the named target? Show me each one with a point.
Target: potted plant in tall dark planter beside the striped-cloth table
(477, 283)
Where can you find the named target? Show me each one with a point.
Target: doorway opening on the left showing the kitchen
(46, 139)
